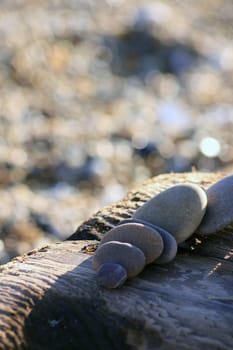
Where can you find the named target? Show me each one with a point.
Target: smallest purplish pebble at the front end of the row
(111, 275)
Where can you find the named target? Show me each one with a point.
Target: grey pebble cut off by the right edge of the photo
(219, 211)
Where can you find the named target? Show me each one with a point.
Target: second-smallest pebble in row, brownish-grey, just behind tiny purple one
(125, 254)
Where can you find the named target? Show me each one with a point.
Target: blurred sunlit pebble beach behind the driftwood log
(97, 96)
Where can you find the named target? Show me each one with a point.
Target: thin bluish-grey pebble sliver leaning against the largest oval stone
(170, 246)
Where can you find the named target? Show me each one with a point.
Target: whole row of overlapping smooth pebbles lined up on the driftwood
(157, 227)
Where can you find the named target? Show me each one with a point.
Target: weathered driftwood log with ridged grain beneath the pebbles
(50, 299)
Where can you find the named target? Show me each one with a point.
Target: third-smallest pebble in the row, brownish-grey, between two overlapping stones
(140, 235)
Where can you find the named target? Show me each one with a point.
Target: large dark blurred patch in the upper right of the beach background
(139, 52)
